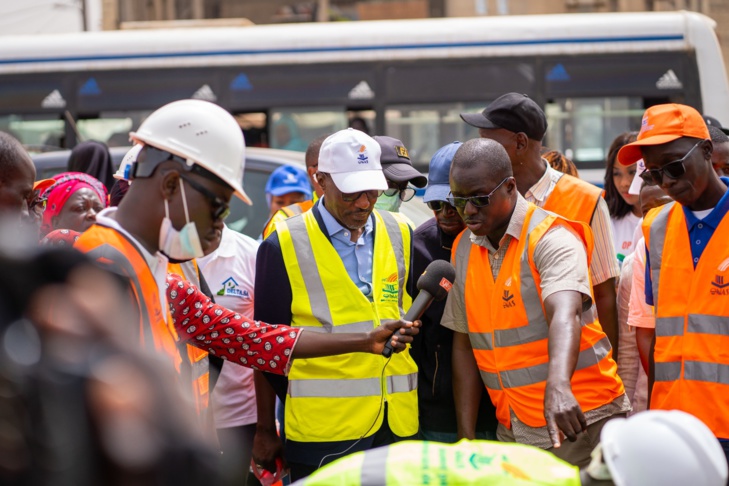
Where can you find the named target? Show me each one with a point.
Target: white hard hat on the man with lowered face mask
(201, 132)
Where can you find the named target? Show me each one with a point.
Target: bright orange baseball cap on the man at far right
(662, 124)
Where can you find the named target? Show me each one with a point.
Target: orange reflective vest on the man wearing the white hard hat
(122, 256)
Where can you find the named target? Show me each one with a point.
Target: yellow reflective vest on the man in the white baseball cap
(337, 398)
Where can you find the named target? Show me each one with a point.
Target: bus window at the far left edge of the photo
(37, 133)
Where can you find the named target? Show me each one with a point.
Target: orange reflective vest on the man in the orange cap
(692, 319)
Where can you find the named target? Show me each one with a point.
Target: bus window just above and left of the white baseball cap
(294, 129)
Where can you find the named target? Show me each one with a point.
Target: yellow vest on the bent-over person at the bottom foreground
(464, 463)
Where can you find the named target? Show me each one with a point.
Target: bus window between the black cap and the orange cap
(584, 128)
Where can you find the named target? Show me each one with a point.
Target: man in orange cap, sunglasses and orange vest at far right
(687, 266)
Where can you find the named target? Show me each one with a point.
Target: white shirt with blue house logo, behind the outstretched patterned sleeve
(230, 272)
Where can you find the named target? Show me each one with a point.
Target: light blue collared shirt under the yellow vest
(357, 257)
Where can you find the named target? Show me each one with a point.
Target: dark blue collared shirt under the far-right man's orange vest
(700, 232)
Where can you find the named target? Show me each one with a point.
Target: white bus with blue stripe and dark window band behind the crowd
(594, 74)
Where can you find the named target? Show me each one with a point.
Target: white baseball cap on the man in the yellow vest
(352, 158)
